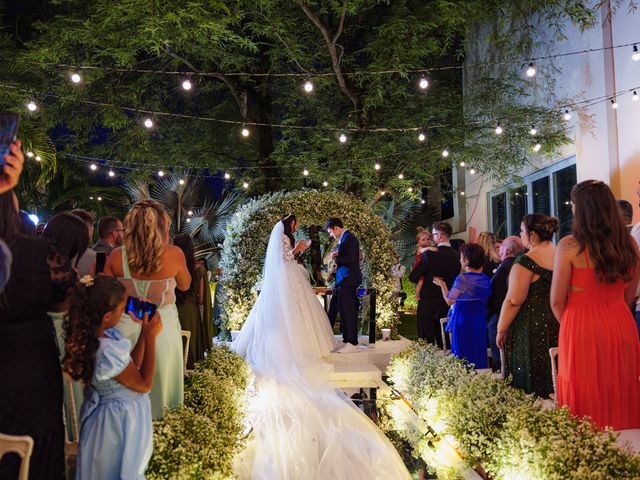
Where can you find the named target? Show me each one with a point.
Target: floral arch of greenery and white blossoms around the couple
(248, 234)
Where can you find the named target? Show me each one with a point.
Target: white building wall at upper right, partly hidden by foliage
(607, 144)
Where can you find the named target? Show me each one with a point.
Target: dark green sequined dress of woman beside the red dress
(533, 331)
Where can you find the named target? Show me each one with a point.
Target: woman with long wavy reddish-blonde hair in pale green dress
(150, 268)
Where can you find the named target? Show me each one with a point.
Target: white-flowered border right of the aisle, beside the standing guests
(511, 434)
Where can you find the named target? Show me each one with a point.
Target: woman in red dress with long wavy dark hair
(596, 273)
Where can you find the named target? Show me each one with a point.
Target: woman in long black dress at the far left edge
(30, 374)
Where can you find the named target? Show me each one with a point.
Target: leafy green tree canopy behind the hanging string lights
(247, 61)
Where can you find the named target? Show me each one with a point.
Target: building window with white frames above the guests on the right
(546, 191)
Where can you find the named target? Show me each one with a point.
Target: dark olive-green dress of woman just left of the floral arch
(197, 320)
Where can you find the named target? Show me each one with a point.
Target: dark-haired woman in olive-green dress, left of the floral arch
(194, 305)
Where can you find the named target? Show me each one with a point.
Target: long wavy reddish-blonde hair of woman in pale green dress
(146, 229)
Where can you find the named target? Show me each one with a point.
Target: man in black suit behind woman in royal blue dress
(443, 263)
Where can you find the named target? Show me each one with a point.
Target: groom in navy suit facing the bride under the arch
(348, 279)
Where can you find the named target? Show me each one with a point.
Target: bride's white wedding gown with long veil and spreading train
(302, 427)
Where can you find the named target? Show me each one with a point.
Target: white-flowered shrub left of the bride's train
(201, 439)
